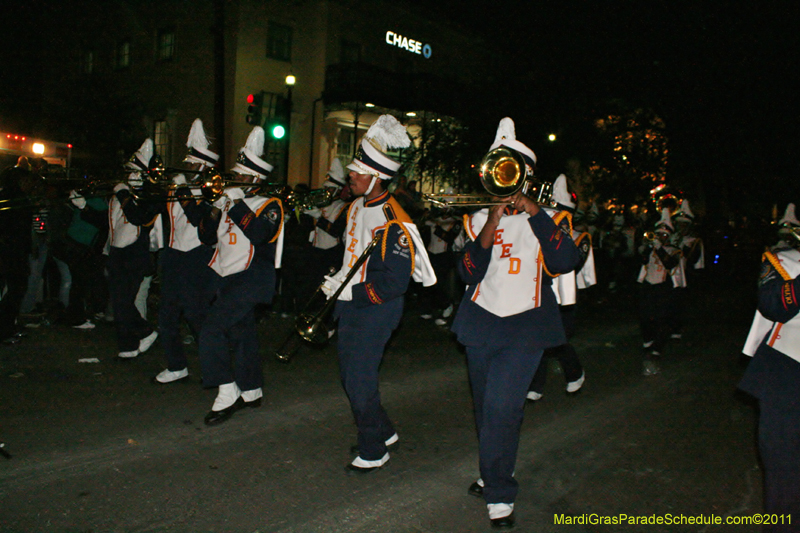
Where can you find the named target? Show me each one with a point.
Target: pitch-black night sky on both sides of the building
(722, 75)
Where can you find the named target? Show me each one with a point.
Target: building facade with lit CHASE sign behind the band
(164, 63)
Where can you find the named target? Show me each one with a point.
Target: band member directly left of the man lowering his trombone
(246, 232)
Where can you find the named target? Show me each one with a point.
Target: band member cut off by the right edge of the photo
(773, 375)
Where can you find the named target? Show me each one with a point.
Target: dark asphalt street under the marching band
(99, 447)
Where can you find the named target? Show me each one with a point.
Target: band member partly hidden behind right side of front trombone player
(566, 288)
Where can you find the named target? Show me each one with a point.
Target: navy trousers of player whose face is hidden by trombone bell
(500, 376)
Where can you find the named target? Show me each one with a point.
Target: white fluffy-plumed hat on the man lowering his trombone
(387, 132)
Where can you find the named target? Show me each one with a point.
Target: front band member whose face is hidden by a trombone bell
(507, 317)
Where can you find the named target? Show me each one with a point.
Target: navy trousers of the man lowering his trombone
(363, 334)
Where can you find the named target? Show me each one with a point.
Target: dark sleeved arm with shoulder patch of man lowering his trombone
(388, 273)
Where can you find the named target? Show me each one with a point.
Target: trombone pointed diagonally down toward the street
(311, 326)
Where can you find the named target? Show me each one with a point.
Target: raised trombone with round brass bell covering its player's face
(504, 173)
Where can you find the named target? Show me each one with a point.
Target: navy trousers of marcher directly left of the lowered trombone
(228, 346)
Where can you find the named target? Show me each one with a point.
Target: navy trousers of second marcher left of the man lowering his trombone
(185, 278)
